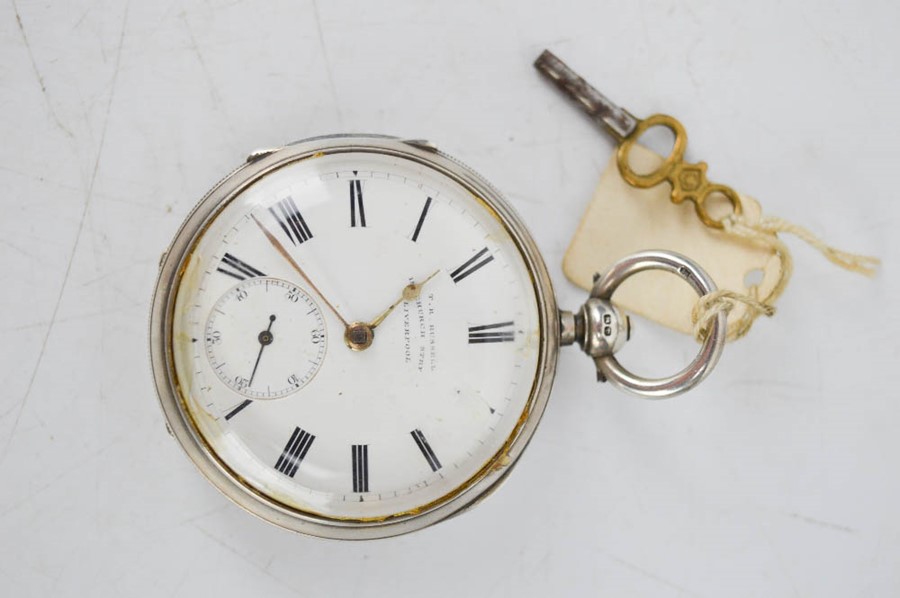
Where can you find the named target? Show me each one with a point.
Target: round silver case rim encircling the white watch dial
(160, 340)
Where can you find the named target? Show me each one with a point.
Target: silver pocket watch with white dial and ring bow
(355, 336)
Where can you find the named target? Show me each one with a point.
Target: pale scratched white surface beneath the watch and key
(777, 477)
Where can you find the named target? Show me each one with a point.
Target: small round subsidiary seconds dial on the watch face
(265, 338)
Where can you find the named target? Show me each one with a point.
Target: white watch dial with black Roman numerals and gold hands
(426, 306)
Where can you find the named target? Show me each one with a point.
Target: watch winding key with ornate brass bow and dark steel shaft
(688, 181)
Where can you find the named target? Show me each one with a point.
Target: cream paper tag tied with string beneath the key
(621, 220)
